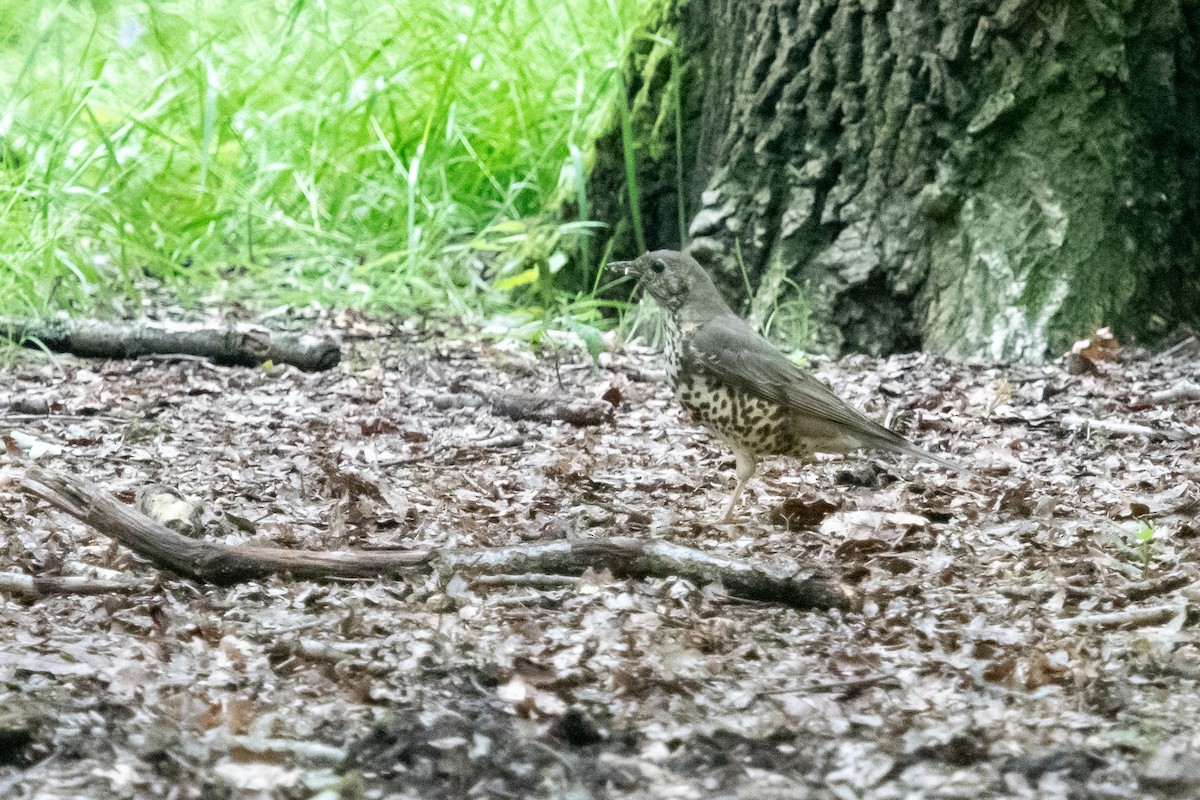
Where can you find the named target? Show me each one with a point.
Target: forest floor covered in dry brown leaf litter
(1025, 631)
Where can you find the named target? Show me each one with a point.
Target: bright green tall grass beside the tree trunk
(381, 155)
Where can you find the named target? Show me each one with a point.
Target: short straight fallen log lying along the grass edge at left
(236, 346)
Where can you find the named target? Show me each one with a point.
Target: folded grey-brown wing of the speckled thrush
(731, 353)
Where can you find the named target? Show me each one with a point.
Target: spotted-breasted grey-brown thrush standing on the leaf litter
(735, 383)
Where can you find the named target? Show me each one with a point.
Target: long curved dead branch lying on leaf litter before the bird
(622, 556)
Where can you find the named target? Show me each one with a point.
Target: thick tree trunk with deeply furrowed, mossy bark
(976, 178)
